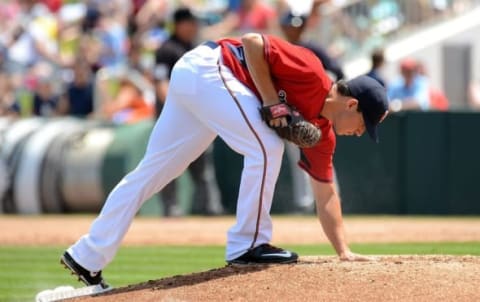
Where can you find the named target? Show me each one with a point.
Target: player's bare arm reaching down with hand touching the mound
(329, 212)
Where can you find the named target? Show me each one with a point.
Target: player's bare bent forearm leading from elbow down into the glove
(253, 45)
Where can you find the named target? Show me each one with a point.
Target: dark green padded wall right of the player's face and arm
(426, 163)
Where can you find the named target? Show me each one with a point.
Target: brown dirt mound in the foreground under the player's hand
(399, 278)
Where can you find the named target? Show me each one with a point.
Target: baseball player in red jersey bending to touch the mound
(248, 91)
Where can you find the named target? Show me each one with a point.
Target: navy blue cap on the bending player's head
(372, 101)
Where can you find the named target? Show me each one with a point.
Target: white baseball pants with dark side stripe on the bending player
(204, 100)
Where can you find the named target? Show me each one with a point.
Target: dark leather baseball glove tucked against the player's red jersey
(298, 131)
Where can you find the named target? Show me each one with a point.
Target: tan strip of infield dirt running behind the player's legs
(65, 230)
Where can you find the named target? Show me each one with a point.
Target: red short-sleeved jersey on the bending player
(301, 81)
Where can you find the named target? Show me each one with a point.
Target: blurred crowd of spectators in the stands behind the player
(100, 59)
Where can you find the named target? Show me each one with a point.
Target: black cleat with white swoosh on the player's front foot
(266, 254)
